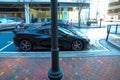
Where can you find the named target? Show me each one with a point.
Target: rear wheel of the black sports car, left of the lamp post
(25, 45)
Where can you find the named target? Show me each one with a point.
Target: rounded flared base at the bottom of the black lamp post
(57, 75)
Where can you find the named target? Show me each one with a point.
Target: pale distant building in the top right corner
(114, 9)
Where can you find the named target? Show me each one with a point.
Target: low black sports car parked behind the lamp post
(41, 36)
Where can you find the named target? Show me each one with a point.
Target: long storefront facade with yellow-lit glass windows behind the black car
(39, 9)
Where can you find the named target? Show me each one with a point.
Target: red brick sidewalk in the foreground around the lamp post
(87, 68)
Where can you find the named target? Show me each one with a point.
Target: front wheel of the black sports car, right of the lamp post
(77, 45)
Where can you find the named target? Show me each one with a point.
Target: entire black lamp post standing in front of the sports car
(55, 73)
